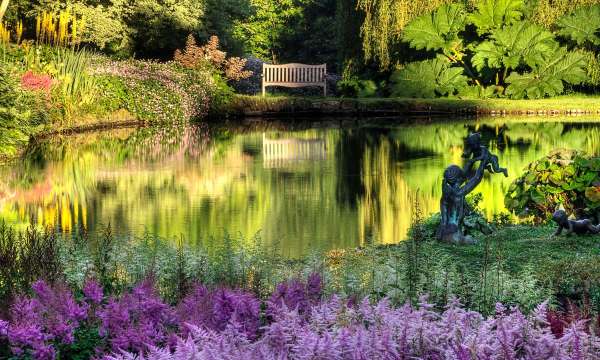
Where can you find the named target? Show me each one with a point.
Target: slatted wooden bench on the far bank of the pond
(294, 75)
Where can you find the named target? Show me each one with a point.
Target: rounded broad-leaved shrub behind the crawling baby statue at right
(566, 178)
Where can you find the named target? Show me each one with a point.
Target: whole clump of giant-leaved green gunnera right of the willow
(509, 56)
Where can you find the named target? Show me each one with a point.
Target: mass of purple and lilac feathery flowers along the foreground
(225, 323)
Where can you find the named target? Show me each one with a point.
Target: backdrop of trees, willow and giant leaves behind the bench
(505, 48)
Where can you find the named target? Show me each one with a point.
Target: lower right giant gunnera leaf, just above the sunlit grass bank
(547, 78)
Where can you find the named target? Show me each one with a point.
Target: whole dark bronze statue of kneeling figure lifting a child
(452, 204)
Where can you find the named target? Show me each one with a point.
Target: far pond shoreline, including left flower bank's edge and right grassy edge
(279, 110)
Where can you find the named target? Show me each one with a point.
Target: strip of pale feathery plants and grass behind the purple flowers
(516, 265)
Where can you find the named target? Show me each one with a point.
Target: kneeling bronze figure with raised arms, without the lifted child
(452, 204)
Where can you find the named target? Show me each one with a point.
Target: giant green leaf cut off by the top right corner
(582, 25)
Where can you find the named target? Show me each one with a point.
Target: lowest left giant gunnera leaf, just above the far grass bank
(428, 79)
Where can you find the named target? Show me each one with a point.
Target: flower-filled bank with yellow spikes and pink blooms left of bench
(56, 83)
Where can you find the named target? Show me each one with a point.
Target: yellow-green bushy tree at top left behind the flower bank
(146, 28)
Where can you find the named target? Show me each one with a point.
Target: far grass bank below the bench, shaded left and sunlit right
(242, 105)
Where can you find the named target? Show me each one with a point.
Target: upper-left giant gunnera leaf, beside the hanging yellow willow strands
(437, 30)
